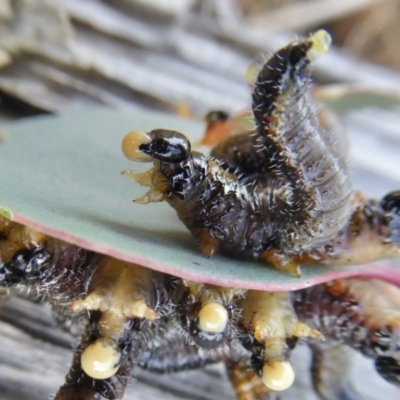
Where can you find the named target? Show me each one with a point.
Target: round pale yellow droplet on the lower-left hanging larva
(100, 360)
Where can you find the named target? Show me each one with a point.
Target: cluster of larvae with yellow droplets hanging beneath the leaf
(135, 317)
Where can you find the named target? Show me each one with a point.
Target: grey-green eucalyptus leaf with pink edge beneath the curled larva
(61, 175)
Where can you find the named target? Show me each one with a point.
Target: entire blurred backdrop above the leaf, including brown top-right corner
(179, 55)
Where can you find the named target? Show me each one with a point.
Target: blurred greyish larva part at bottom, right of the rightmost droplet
(329, 372)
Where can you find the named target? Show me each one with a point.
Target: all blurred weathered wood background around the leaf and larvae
(186, 57)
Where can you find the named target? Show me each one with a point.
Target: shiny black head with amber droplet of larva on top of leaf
(160, 144)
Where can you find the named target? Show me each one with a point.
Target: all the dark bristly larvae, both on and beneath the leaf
(279, 193)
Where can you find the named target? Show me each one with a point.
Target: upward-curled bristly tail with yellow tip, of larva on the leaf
(303, 161)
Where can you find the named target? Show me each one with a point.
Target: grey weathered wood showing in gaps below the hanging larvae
(35, 354)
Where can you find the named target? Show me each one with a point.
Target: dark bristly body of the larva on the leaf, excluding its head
(296, 195)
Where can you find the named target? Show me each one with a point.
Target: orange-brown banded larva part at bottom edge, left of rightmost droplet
(247, 385)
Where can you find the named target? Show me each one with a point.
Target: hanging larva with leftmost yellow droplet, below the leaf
(122, 301)
